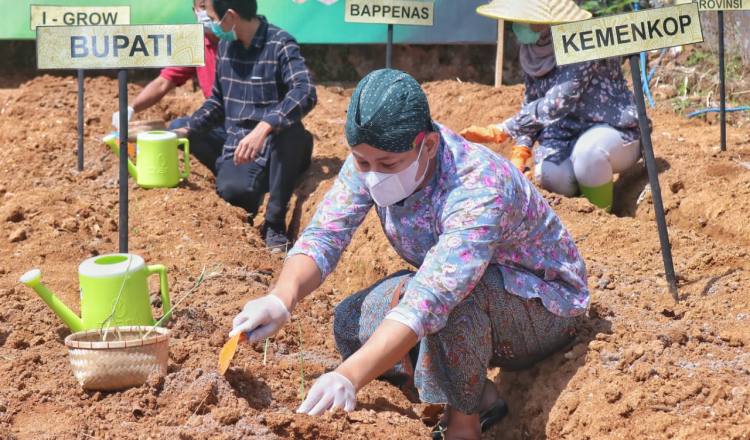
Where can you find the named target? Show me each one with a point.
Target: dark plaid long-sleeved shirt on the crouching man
(269, 81)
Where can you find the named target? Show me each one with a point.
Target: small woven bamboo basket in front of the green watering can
(118, 363)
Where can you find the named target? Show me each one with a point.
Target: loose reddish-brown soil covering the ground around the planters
(645, 366)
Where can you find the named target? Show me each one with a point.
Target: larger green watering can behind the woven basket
(103, 279)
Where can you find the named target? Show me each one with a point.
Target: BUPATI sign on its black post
(120, 47)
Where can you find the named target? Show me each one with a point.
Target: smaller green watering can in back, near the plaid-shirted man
(156, 158)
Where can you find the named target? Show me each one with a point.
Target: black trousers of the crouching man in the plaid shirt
(246, 185)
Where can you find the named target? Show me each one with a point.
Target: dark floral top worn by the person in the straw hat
(561, 105)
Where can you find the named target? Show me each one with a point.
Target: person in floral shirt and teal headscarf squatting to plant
(499, 280)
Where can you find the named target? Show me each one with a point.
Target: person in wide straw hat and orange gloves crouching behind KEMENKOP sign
(582, 116)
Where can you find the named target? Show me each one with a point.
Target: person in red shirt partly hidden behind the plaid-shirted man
(206, 148)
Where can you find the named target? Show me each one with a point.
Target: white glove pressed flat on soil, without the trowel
(330, 391)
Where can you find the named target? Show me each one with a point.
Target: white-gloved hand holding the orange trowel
(264, 316)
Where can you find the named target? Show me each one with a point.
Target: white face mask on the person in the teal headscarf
(387, 189)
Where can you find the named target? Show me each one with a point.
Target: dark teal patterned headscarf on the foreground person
(388, 110)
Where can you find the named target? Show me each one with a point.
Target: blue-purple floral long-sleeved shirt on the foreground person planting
(476, 210)
